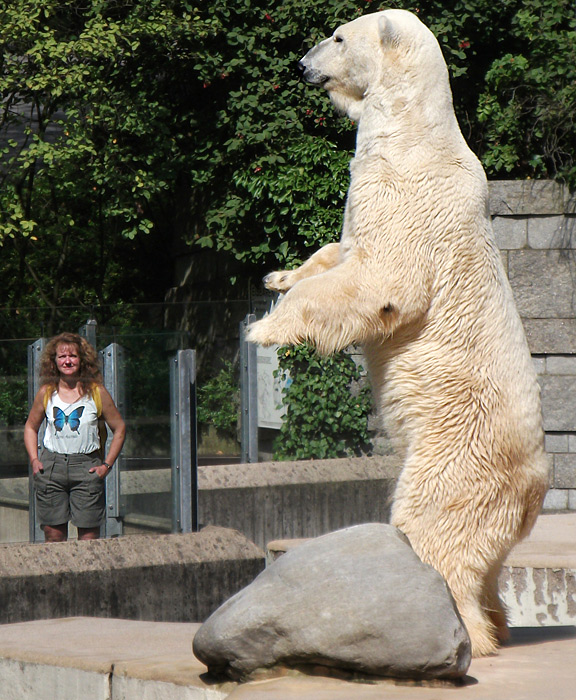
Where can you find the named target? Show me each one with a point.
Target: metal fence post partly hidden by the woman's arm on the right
(113, 369)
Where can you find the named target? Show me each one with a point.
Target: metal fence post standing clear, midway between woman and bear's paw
(184, 442)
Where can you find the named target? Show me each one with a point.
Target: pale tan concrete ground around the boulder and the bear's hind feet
(103, 659)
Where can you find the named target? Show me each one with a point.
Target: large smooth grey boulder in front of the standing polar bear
(357, 599)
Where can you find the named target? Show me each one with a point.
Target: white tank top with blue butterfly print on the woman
(71, 428)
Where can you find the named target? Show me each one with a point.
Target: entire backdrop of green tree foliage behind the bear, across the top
(127, 124)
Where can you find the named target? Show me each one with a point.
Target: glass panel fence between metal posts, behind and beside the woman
(145, 480)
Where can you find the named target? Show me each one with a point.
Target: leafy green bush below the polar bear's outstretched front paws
(327, 408)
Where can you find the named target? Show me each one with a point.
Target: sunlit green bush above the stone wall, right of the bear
(528, 105)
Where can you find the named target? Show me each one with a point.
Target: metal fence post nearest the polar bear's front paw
(248, 394)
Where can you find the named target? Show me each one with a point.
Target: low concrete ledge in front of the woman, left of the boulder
(161, 577)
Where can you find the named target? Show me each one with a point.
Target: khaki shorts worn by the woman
(67, 491)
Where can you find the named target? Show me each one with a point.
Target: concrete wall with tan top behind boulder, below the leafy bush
(276, 500)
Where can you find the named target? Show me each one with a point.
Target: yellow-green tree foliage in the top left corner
(90, 87)
